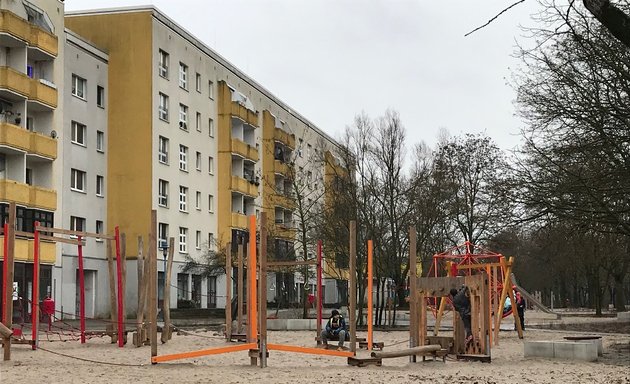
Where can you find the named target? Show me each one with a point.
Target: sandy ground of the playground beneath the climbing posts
(57, 362)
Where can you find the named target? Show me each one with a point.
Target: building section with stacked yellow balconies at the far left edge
(31, 84)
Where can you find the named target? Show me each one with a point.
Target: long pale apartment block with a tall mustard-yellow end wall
(202, 143)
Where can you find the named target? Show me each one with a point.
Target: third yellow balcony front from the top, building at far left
(30, 142)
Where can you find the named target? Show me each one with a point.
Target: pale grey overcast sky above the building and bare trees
(332, 59)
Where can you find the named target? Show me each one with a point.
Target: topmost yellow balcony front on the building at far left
(16, 31)
